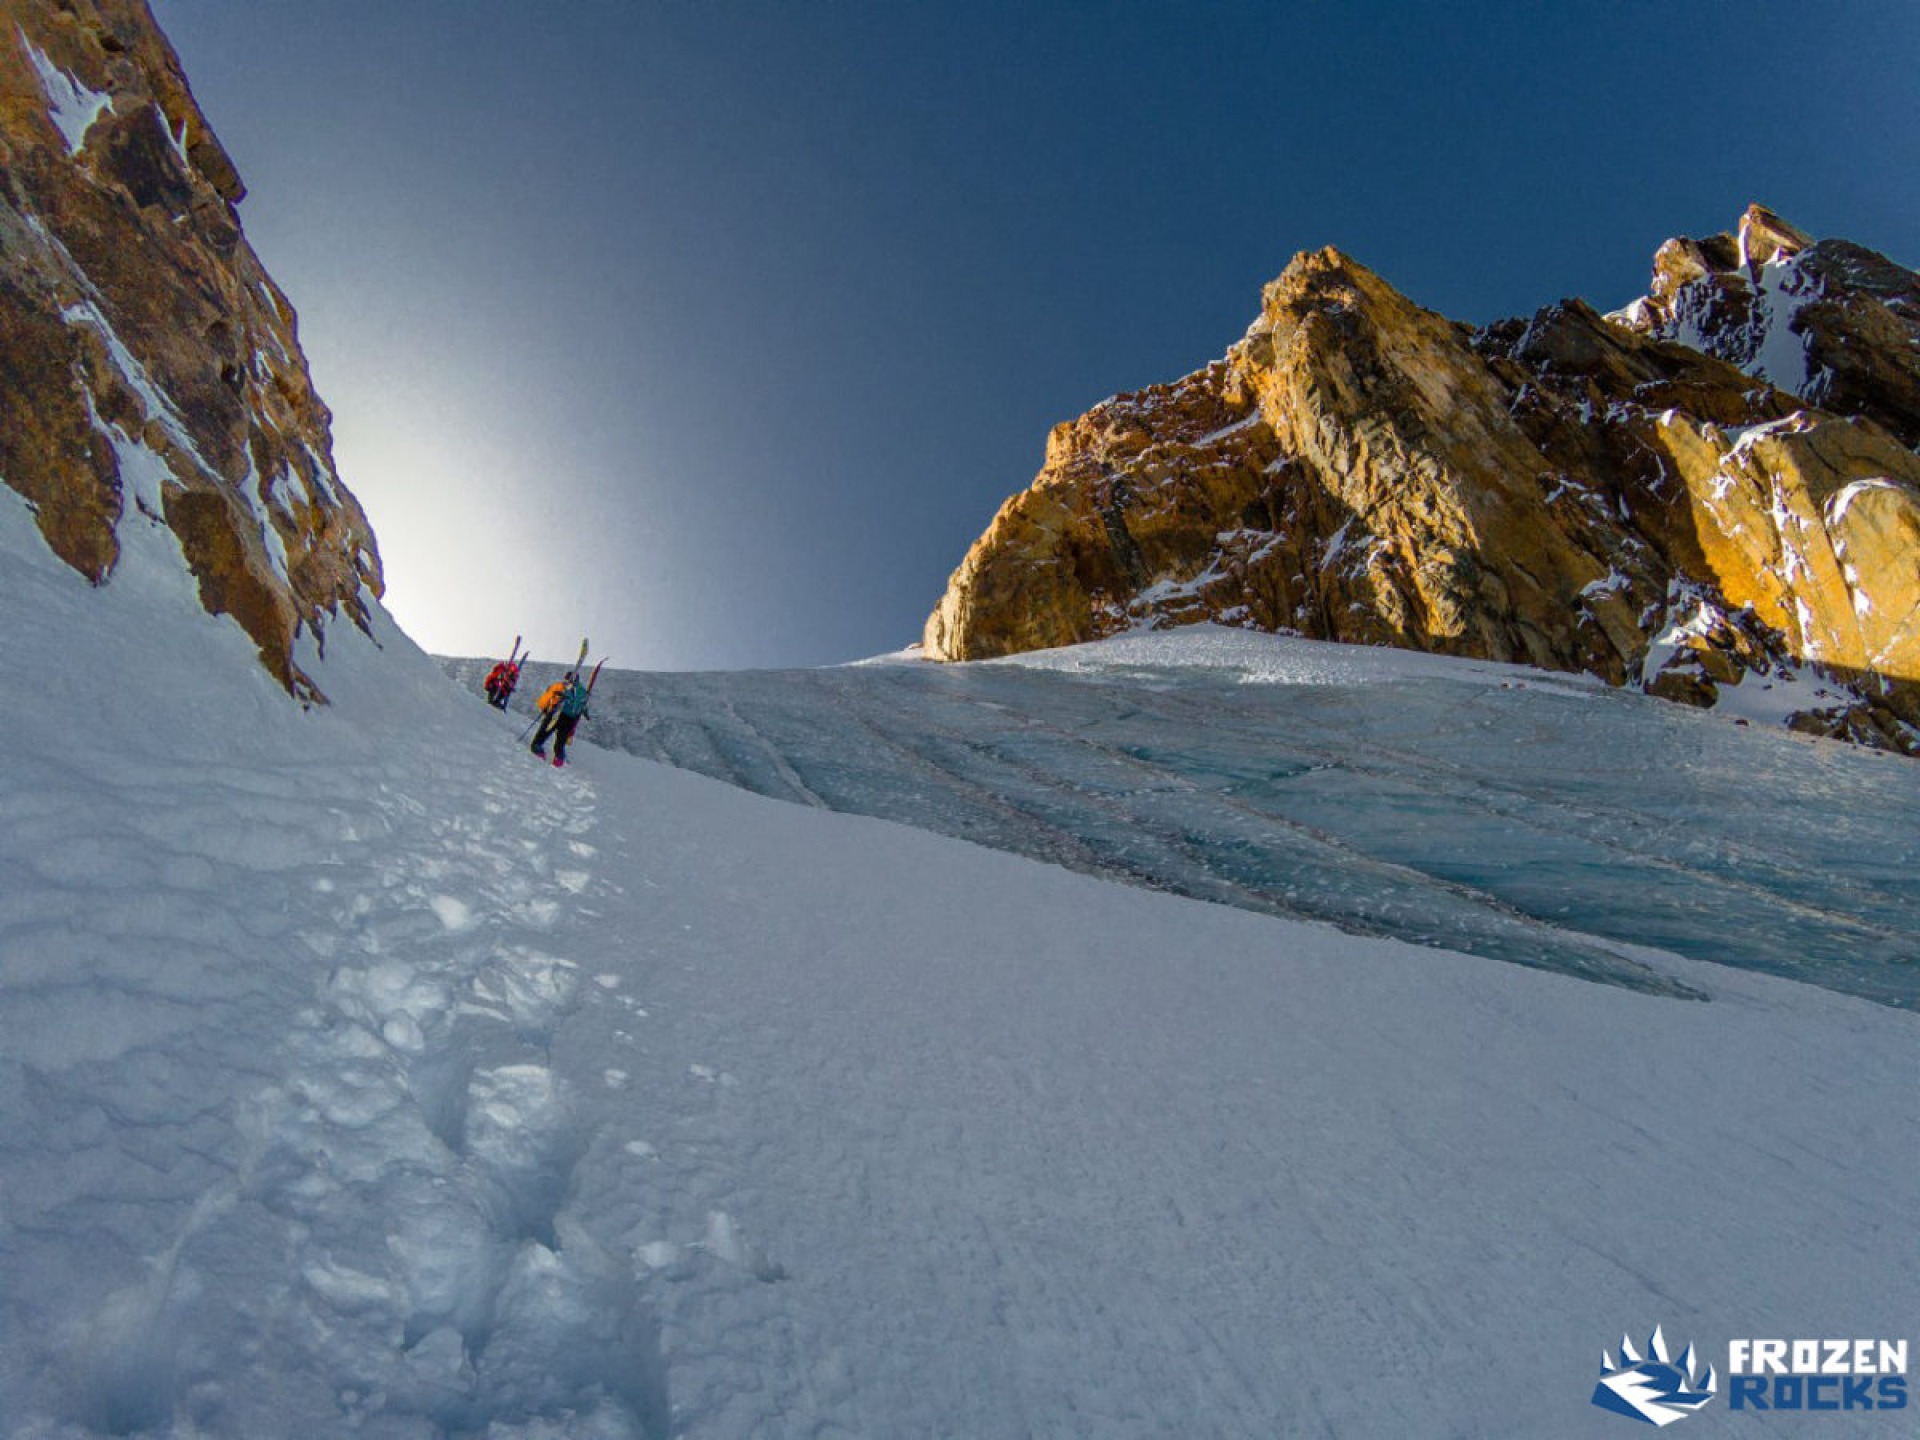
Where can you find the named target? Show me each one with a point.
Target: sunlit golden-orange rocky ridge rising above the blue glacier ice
(1714, 489)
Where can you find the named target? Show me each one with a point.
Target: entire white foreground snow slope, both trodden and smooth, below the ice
(362, 1076)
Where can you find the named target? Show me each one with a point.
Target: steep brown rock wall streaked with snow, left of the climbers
(149, 366)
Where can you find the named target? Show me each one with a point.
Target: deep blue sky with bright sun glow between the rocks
(719, 331)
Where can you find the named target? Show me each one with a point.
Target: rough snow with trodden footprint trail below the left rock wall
(279, 1147)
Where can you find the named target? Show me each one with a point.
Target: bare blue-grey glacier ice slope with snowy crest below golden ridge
(1512, 813)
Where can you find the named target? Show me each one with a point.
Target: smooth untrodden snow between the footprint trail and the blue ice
(1044, 1157)
